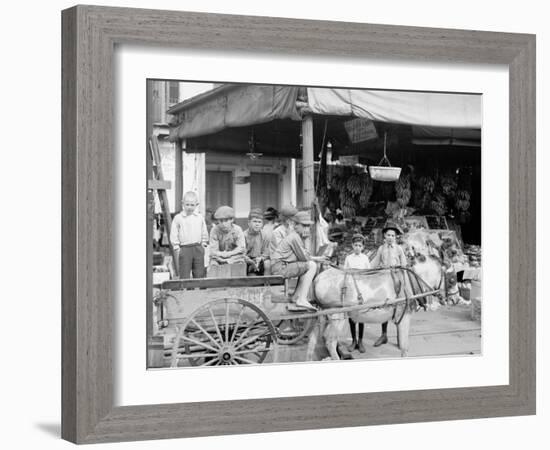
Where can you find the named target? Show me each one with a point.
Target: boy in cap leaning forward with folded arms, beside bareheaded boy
(227, 243)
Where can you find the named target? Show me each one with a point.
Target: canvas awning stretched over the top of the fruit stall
(234, 106)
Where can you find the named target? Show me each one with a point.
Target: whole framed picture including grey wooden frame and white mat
(277, 224)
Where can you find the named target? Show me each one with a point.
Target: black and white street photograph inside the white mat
(293, 223)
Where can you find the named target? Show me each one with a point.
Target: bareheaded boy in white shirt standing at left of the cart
(189, 236)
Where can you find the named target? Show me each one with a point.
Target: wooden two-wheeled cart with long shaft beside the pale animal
(233, 321)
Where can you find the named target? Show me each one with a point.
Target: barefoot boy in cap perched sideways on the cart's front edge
(291, 259)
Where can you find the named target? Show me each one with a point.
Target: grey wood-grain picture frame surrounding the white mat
(90, 34)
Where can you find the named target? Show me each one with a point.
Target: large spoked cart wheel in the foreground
(224, 332)
